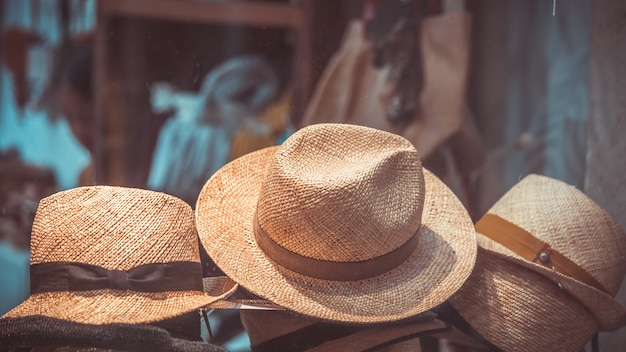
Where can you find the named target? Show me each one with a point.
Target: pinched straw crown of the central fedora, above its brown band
(342, 193)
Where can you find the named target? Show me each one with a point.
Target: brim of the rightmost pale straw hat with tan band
(609, 312)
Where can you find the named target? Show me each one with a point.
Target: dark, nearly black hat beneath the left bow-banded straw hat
(38, 333)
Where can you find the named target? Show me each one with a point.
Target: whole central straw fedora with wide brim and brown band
(339, 223)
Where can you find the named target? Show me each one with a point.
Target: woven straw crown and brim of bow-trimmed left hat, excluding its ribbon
(115, 228)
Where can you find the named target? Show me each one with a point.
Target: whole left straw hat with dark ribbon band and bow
(108, 254)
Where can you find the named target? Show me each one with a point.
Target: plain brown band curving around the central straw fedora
(331, 270)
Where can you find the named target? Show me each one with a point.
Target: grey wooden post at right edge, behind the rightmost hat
(605, 179)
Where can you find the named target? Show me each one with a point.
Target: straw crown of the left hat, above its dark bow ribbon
(116, 228)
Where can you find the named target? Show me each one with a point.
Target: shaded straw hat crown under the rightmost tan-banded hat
(518, 309)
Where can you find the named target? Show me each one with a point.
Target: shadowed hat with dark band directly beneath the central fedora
(286, 331)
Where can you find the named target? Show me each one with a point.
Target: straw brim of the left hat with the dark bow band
(114, 306)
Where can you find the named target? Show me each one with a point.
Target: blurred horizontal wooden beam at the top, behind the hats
(207, 11)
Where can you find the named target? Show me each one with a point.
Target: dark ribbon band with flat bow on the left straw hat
(154, 277)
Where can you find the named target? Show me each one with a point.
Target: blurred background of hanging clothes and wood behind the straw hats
(159, 94)
